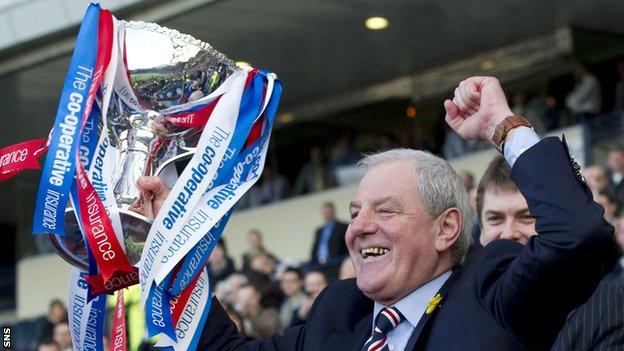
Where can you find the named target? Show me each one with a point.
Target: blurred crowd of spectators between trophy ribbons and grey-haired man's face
(267, 296)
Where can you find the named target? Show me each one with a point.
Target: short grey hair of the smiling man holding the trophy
(439, 188)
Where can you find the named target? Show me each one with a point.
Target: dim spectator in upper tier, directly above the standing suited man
(314, 175)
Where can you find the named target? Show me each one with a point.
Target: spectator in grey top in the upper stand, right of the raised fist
(584, 101)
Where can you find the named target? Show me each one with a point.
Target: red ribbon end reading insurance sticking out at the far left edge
(19, 157)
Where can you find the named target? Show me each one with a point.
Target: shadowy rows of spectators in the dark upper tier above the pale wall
(550, 104)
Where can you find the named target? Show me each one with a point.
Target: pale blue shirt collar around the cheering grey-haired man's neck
(414, 305)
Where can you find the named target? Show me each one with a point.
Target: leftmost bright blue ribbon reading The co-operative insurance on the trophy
(58, 170)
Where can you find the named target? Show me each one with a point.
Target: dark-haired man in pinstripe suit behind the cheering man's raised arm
(504, 214)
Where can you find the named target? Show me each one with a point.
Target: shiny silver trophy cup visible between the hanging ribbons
(165, 69)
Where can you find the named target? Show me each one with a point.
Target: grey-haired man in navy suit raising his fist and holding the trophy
(409, 231)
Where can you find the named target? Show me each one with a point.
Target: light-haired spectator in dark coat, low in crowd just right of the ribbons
(258, 322)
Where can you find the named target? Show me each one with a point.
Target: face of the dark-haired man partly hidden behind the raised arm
(506, 215)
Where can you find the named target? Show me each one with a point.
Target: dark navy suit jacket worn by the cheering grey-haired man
(511, 297)
